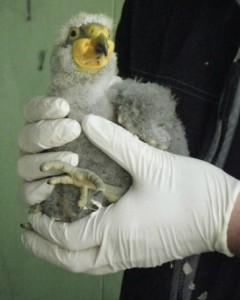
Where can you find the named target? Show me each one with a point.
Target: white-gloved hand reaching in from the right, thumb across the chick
(176, 207)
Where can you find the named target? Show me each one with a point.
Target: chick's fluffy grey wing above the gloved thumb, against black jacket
(149, 111)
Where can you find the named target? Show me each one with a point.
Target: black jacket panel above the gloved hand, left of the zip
(186, 45)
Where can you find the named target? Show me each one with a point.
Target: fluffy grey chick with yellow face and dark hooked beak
(84, 73)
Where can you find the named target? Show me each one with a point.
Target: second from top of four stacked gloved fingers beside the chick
(48, 134)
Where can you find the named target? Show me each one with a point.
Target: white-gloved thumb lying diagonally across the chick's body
(122, 146)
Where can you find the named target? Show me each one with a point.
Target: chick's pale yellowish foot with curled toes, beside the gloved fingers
(82, 178)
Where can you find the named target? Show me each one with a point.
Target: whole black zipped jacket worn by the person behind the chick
(189, 46)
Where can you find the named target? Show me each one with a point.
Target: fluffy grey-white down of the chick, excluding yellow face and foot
(145, 109)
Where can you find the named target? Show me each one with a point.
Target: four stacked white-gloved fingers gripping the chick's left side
(46, 128)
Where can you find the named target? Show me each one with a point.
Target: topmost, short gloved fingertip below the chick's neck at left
(45, 108)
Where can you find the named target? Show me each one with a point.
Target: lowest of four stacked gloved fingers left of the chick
(31, 193)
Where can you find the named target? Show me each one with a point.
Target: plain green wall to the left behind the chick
(23, 276)
